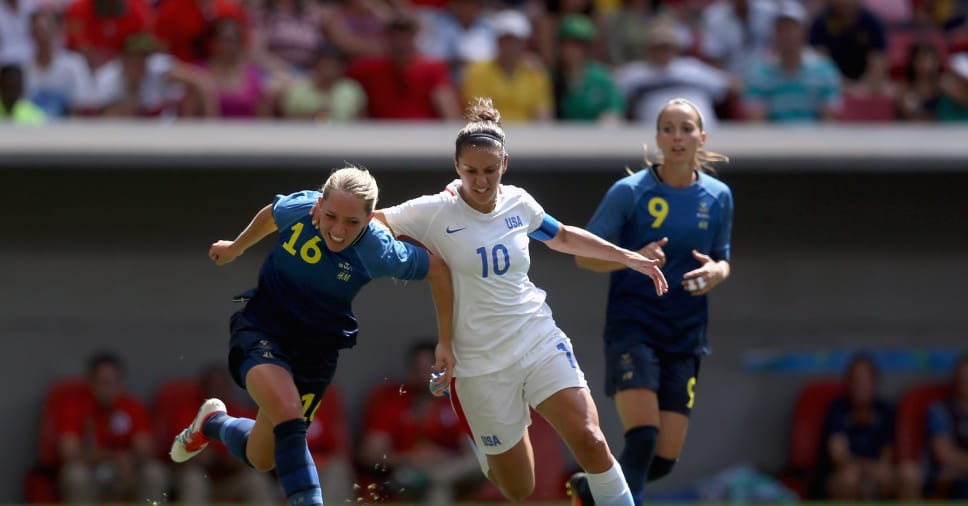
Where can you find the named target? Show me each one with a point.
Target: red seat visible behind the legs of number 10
(551, 466)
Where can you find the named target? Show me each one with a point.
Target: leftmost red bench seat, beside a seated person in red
(40, 484)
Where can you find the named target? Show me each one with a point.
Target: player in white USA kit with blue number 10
(509, 352)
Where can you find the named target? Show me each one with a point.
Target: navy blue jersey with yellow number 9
(639, 209)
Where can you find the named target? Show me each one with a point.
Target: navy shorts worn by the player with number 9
(672, 376)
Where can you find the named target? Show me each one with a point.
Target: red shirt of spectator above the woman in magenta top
(184, 25)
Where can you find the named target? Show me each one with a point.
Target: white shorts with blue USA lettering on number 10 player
(496, 405)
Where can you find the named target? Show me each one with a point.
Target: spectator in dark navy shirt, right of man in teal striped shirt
(856, 39)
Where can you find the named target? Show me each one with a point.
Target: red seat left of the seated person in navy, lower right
(806, 432)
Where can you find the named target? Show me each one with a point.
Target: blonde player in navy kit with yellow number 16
(285, 342)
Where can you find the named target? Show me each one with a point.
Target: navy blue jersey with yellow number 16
(305, 291)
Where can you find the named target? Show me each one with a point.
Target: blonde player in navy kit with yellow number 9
(678, 213)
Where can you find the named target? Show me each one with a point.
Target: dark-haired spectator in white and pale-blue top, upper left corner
(57, 80)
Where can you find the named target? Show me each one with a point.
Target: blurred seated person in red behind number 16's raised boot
(214, 475)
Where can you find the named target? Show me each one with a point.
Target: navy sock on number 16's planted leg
(295, 466)
